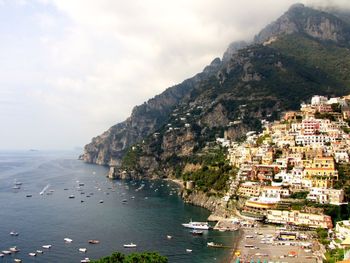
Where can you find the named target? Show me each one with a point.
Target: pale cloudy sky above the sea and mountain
(70, 69)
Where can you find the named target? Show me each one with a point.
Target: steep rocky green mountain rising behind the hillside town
(303, 53)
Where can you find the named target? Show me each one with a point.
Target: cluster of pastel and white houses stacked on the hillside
(296, 155)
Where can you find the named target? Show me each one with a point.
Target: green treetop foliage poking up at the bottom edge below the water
(146, 257)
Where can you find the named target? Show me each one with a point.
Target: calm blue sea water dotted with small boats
(148, 216)
